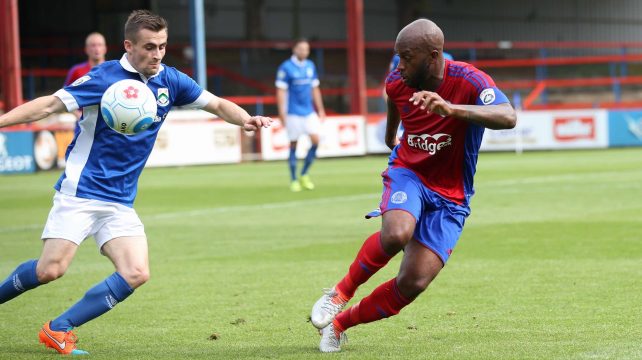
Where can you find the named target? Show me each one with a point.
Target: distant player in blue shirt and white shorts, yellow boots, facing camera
(298, 93)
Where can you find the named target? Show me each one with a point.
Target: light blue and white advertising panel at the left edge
(16, 152)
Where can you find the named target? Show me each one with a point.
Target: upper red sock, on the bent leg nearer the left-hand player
(369, 260)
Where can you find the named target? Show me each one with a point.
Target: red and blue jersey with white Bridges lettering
(443, 151)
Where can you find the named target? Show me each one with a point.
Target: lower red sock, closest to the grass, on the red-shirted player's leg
(385, 301)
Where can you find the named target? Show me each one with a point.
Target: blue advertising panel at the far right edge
(625, 128)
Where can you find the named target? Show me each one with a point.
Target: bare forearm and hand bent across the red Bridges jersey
(501, 116)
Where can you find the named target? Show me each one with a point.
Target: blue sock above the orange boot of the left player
(97, 301)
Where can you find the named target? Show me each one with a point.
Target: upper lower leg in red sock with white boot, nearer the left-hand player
(369, 260)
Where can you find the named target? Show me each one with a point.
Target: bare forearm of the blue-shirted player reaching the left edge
(33, 110)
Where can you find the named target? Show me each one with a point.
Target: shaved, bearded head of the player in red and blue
(420, 46)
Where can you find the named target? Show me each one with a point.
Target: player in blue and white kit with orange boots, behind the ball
(96, 192)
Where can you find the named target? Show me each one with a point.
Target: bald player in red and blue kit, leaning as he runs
(444, 107)
